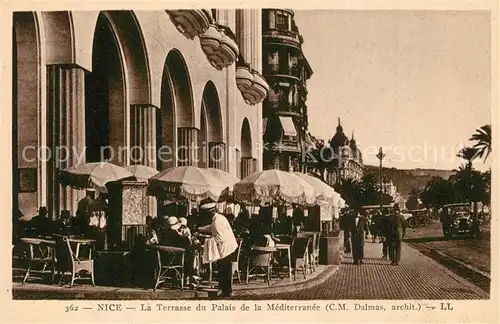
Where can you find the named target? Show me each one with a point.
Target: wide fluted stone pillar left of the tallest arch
(66, 132)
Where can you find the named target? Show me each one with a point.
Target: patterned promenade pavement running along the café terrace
(417, 277)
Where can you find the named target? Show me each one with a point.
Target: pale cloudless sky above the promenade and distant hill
(416, 83)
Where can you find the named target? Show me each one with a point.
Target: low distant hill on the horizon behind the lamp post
(406, 180)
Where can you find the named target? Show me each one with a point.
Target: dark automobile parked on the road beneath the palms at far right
(458, 220)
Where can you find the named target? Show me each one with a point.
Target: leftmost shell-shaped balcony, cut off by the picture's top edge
(191, 23)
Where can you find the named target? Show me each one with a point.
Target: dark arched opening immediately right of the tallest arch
(175, 120)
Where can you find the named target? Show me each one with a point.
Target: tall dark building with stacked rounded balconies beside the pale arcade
(286, 70)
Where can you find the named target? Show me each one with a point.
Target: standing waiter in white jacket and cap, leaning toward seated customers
(225, 246)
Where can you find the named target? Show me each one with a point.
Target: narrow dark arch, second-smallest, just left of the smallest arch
(212, 109)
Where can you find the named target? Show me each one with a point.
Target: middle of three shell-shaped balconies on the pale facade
(219, 45)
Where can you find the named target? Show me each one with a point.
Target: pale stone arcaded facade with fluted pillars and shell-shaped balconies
(158, 88)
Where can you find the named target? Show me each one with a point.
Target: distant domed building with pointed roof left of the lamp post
(346, 160)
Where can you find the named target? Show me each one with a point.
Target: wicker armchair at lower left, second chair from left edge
(69, 259)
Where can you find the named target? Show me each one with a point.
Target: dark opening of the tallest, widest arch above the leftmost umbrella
(105, 97)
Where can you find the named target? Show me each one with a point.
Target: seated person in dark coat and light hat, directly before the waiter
(172, 236)
